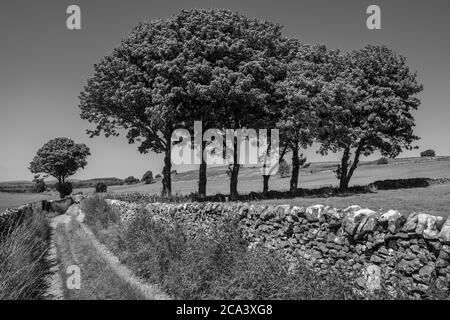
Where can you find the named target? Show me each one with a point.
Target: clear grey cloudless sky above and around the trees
(44, 66)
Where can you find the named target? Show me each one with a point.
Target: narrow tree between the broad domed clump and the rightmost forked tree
(309, 68)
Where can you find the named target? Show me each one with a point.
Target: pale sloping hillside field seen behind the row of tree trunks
(317, 175)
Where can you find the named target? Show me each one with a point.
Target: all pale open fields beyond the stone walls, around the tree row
(434, 199)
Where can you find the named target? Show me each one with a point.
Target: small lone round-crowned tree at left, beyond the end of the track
(60, 158)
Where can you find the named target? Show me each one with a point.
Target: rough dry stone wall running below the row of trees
(373, 247)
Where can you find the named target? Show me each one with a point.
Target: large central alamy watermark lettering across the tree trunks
(253, 147)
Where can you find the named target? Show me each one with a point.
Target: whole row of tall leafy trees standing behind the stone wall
(231, 71)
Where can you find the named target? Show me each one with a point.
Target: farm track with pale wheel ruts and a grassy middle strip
(103, 277)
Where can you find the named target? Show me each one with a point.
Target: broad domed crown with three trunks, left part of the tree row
(211, 65)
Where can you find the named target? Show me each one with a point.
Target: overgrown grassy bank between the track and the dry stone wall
(217, 266)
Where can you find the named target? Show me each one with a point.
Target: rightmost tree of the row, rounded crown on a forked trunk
(367, 107)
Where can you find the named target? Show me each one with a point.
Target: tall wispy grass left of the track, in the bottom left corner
(23, 263)
